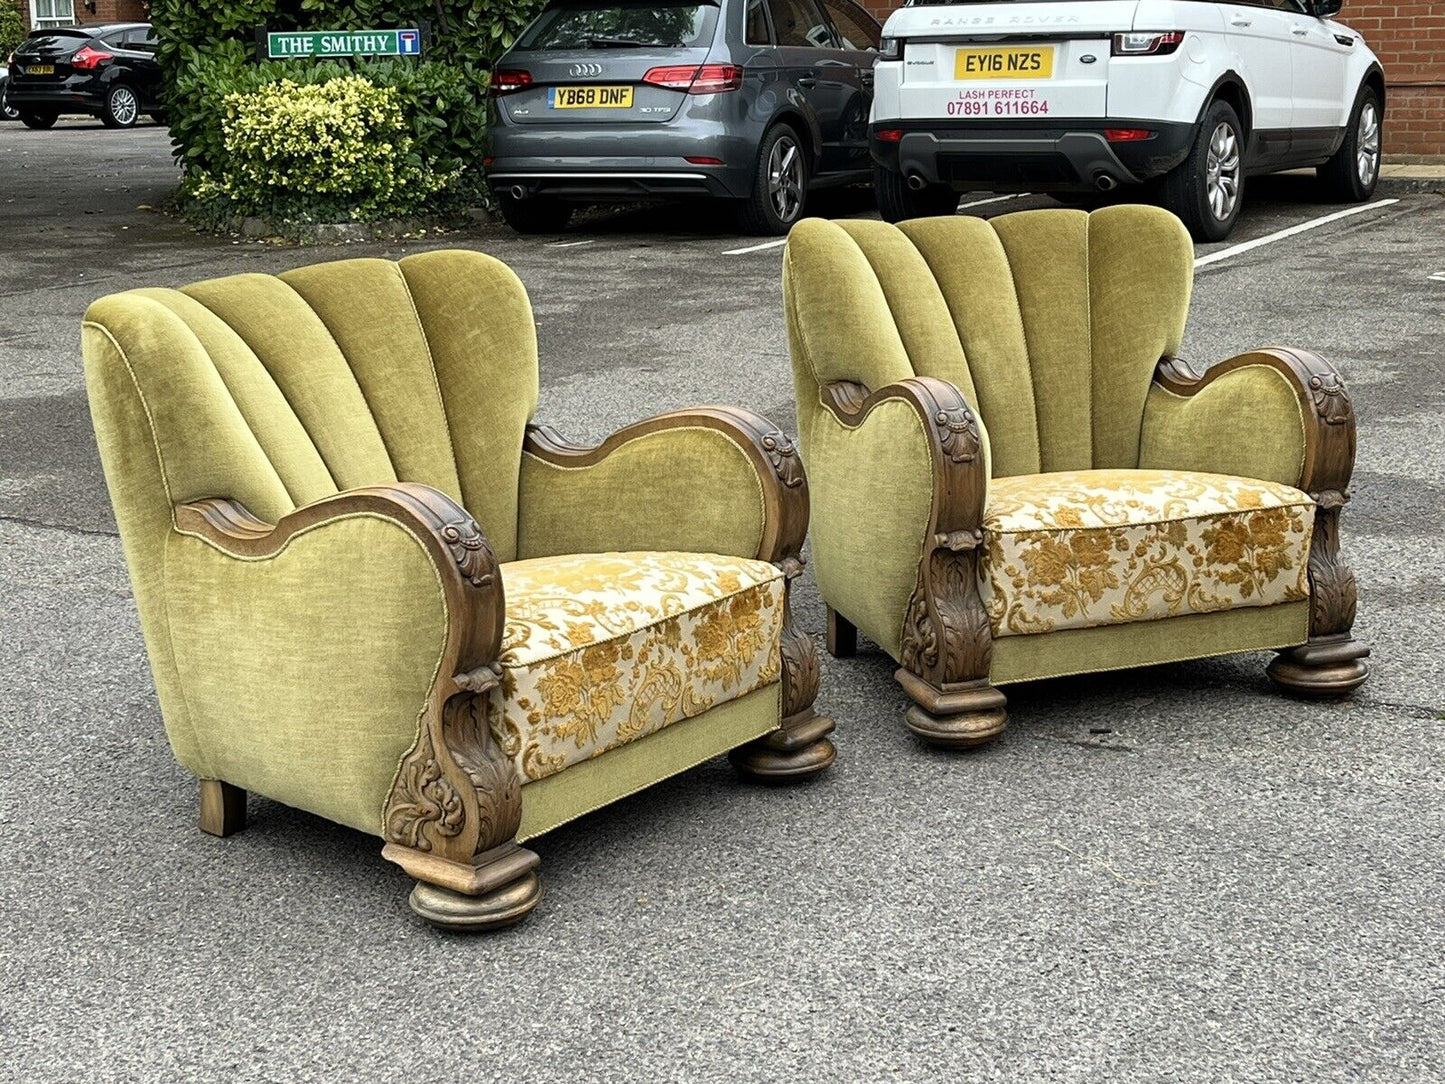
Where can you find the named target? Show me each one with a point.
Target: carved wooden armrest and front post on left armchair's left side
(454, 810)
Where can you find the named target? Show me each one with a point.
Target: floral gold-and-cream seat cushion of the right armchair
(1084, 549)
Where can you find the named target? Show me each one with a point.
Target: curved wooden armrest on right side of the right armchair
(1324, 405)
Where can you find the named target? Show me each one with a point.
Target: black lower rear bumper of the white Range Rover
(1054, 155)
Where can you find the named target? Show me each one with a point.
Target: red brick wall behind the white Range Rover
(1410, 38)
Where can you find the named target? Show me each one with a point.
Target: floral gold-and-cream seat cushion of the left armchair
(602, 650)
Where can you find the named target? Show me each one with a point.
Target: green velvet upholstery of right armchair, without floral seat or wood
(1051, 324)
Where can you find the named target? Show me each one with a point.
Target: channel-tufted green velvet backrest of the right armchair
(1051, 323)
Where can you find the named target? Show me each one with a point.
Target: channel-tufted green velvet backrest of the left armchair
(277, 391)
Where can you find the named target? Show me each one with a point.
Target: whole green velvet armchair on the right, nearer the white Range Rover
(1017, 478)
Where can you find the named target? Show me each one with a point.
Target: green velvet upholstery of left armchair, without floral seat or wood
(304, 676)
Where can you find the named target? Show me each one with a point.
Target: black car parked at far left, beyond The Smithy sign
(103, 72)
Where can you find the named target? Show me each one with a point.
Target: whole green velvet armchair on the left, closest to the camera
(371, 589)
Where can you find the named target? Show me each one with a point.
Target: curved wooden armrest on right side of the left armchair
(769, 450)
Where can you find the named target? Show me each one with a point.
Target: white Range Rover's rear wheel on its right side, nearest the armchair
(1207, 190)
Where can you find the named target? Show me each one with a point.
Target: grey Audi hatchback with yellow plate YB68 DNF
(751, 102)
